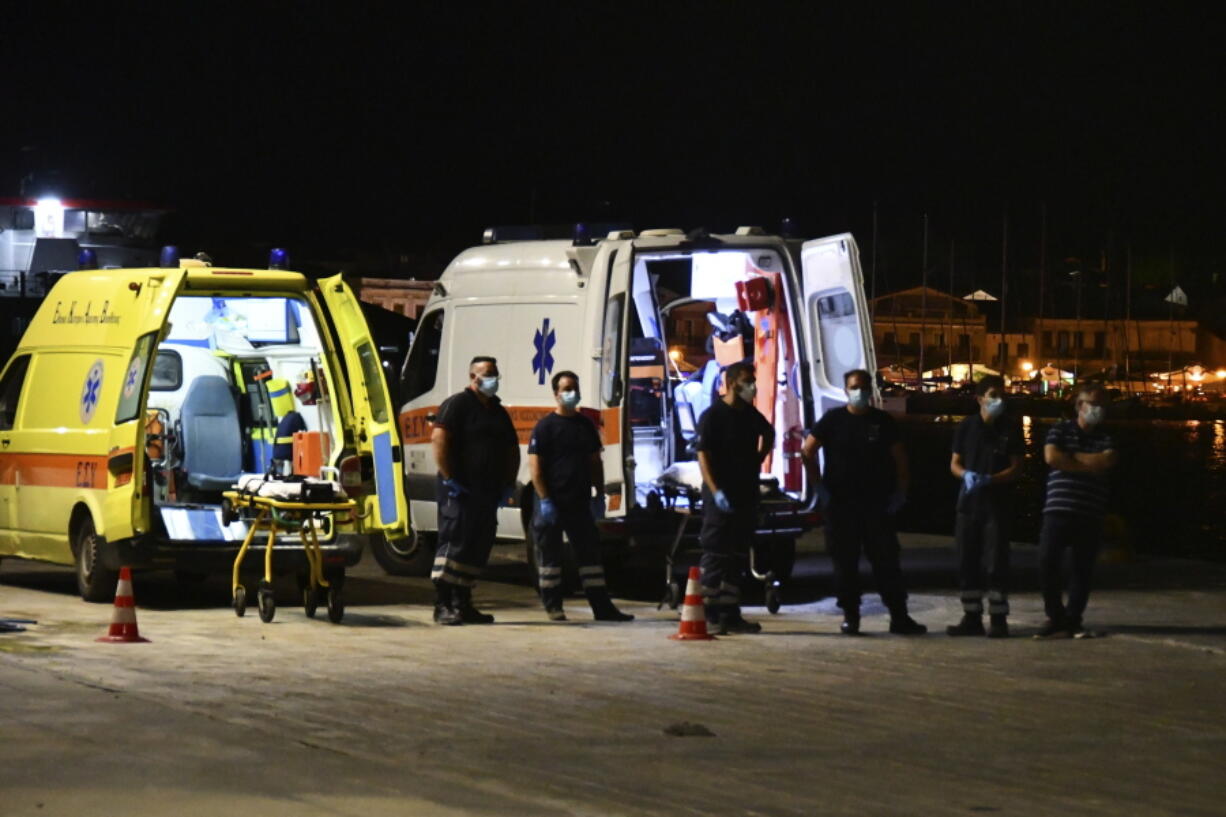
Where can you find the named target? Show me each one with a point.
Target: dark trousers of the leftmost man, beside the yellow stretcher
(468, 526)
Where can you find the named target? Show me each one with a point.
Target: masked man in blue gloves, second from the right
(986, 459)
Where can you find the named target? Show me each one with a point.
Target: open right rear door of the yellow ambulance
(373, 415)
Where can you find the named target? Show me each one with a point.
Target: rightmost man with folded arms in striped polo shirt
(1082, 457)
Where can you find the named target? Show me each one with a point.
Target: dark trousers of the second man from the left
(574, 521)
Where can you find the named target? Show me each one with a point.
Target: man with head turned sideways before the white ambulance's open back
(733, 441)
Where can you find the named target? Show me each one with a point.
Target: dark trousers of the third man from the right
(854, 529)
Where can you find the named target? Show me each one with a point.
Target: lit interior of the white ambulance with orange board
(693, 315)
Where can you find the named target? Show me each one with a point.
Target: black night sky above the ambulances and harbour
(352, 134)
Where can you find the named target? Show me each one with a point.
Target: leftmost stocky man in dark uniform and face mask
(479, 457)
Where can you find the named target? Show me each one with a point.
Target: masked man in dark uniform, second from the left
(565, 459)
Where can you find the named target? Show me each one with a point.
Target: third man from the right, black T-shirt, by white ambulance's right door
(864, 488)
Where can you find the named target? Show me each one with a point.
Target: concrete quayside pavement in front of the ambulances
(389, 715)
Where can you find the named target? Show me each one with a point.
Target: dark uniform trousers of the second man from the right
(981, 533)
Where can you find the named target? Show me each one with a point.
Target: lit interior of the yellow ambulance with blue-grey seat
(232, 375)
